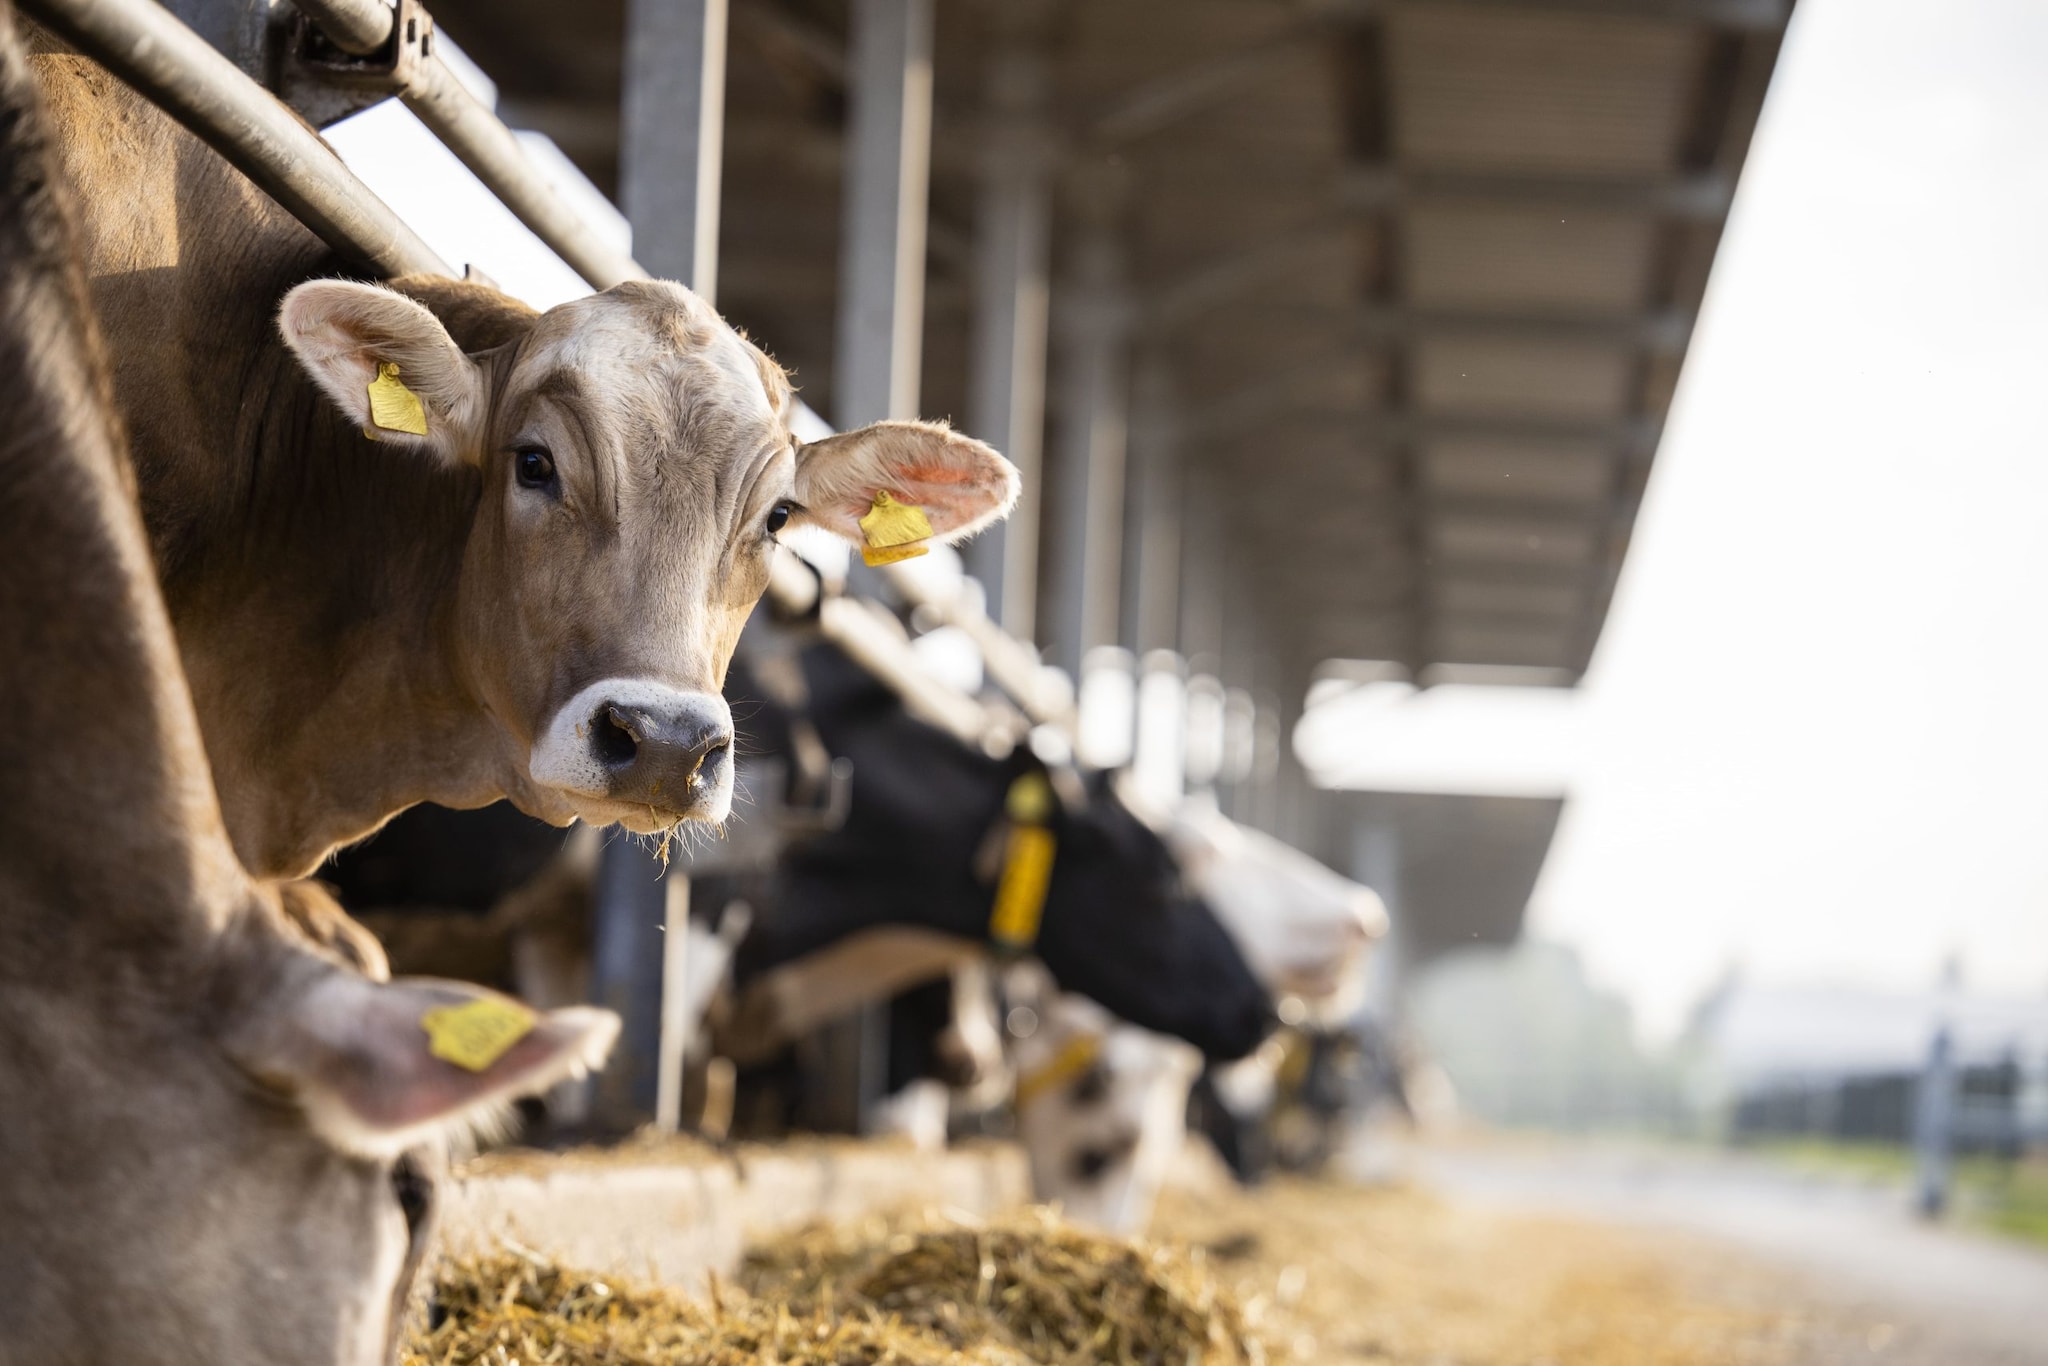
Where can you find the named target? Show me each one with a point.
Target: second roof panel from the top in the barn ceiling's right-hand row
(1529, 259)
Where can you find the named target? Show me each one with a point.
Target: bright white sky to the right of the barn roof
(1816, 738)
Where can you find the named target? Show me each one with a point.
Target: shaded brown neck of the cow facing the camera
(316, 620)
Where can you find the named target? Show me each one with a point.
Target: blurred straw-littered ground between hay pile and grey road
(1398, 1277)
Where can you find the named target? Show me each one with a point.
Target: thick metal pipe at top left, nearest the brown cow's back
(175, 69)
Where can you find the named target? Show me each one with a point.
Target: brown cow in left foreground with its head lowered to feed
(200, 1117)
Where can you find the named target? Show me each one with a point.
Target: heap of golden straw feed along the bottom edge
(1019, 1293)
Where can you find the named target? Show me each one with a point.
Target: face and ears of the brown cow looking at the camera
(636, 466)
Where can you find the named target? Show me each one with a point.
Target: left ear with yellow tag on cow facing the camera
(388, 364)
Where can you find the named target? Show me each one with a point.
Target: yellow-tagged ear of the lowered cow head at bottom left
(380, 1068)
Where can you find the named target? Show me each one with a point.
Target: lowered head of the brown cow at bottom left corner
(249, 1175)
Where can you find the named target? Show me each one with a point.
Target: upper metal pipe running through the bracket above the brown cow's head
(478, 138)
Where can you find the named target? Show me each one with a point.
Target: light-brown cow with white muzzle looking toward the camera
(534, 601)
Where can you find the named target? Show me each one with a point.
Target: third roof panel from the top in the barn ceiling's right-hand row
(1523, 380)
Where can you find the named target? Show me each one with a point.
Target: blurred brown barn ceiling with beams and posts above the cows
(1365, 316)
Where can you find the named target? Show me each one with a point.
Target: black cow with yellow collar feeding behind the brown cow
(916, 867)
